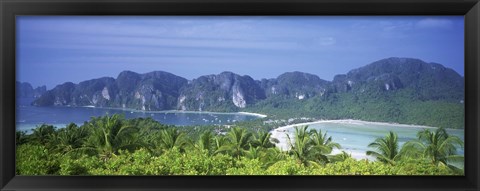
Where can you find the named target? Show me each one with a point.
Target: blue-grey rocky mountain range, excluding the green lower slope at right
(228, 91)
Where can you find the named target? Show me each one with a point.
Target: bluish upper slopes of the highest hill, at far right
(427, 80)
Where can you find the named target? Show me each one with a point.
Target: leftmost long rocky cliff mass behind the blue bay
(150, 91)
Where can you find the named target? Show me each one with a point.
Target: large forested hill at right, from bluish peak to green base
(401, 90)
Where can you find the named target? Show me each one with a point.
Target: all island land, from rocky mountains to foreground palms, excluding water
(393, 90)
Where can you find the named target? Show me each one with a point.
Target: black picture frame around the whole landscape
(9, 9)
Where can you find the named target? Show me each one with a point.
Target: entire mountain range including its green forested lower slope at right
(400, 90)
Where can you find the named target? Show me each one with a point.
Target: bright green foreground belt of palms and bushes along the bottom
(112, 145)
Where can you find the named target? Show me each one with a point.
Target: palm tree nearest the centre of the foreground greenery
(238, 141)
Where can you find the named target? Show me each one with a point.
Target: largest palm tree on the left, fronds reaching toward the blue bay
(109, 135)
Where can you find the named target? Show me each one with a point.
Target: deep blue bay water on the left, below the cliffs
(29, 117)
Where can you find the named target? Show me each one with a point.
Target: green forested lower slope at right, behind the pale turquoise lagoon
(403, 106)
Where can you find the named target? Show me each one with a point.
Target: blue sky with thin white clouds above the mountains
(52, 50)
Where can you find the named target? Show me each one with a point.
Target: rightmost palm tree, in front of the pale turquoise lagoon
(438, 146)
